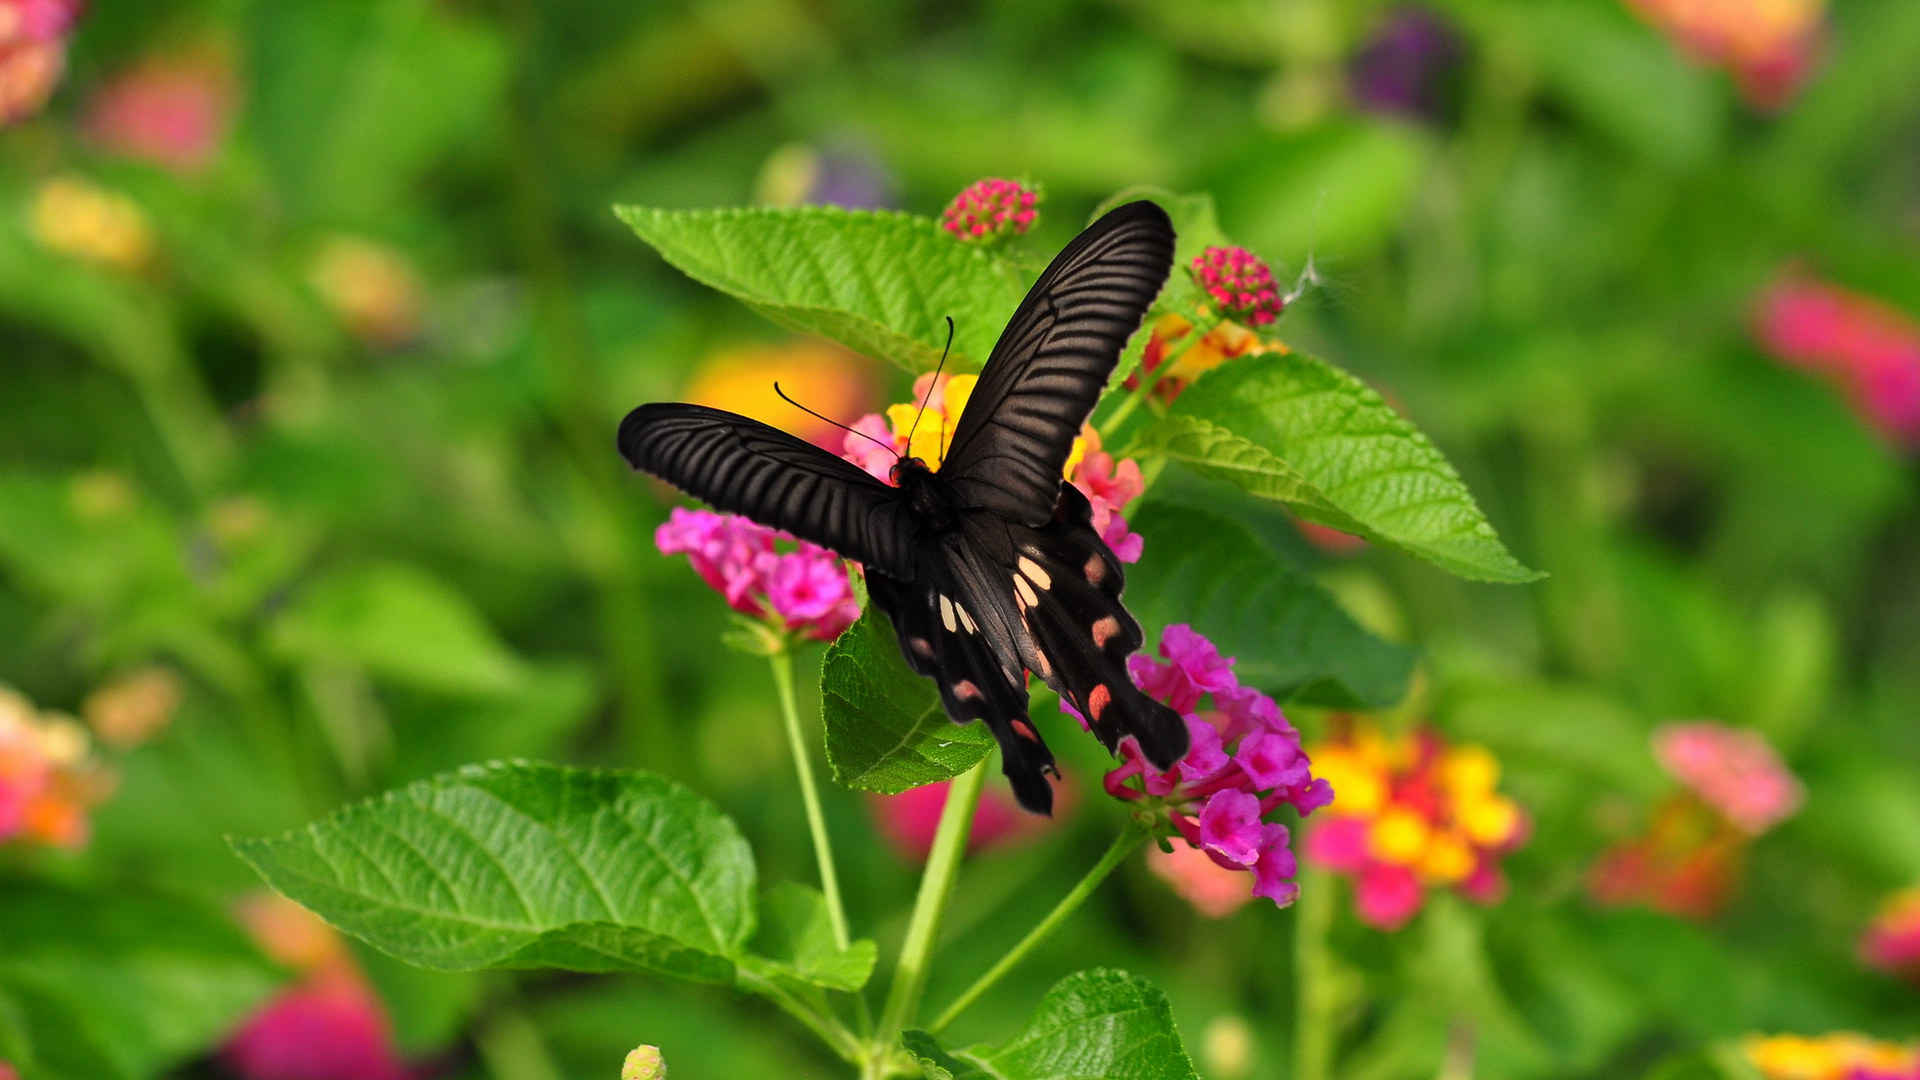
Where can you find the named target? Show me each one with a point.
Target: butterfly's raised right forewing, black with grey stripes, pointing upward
(1053, 362)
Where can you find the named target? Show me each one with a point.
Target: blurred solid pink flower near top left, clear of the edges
(168, 110)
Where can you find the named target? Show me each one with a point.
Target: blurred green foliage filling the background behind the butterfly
(381, 529)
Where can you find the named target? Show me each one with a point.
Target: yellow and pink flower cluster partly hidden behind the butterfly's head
(1107, 483)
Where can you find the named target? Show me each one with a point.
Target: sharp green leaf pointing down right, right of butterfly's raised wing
(1301, 431)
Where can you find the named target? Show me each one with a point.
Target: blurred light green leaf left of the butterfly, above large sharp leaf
(398, 624)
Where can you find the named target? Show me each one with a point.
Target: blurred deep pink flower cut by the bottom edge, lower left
(325, 1029)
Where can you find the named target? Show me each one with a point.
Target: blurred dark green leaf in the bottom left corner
(122, 985)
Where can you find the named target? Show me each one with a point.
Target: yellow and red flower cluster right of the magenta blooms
(1416, 814)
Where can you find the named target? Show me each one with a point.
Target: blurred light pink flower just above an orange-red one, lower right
(1733, 772)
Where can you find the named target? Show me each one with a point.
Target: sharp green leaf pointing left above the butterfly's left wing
(878, 282)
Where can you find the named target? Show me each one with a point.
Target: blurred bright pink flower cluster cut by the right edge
(1863, 347)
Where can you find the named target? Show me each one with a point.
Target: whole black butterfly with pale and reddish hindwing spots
(990, 566)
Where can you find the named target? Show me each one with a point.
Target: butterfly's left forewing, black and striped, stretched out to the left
(773, 478)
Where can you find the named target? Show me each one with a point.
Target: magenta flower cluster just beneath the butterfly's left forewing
(805, 585)
